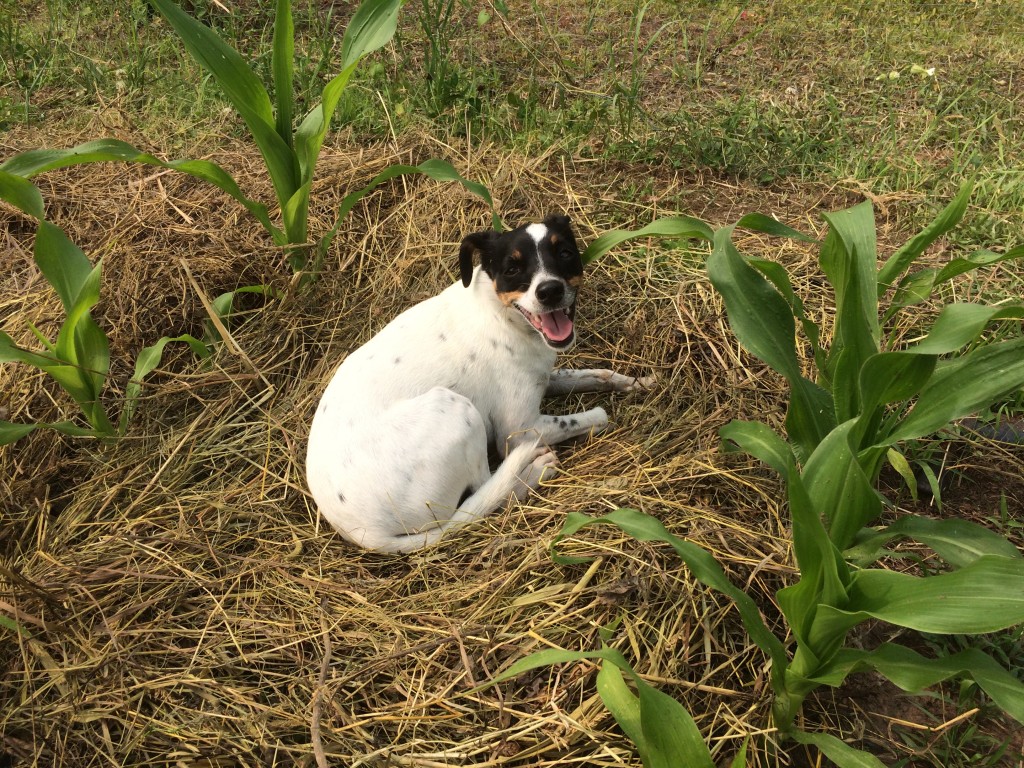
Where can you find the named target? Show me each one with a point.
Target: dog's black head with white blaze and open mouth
(535, 269)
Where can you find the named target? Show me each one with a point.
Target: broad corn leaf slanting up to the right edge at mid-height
(963, 388)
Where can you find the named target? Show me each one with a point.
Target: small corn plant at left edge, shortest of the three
(80, 358)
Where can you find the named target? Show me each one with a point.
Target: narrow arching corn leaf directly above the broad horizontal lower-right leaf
(958, 542)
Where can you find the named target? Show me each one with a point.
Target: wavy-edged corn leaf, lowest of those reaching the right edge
(914, 673)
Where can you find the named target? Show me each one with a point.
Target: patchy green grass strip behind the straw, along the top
(779, 93)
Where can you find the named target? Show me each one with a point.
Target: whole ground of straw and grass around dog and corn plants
(183, 605)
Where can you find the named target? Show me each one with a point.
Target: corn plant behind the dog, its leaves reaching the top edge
(289, 151)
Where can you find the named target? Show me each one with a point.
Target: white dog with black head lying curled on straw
(399, 447)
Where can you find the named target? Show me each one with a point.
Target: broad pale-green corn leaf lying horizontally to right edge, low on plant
(986, 595)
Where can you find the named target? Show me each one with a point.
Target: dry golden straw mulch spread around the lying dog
(182, 604)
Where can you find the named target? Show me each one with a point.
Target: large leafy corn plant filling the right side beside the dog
(871, 395)
